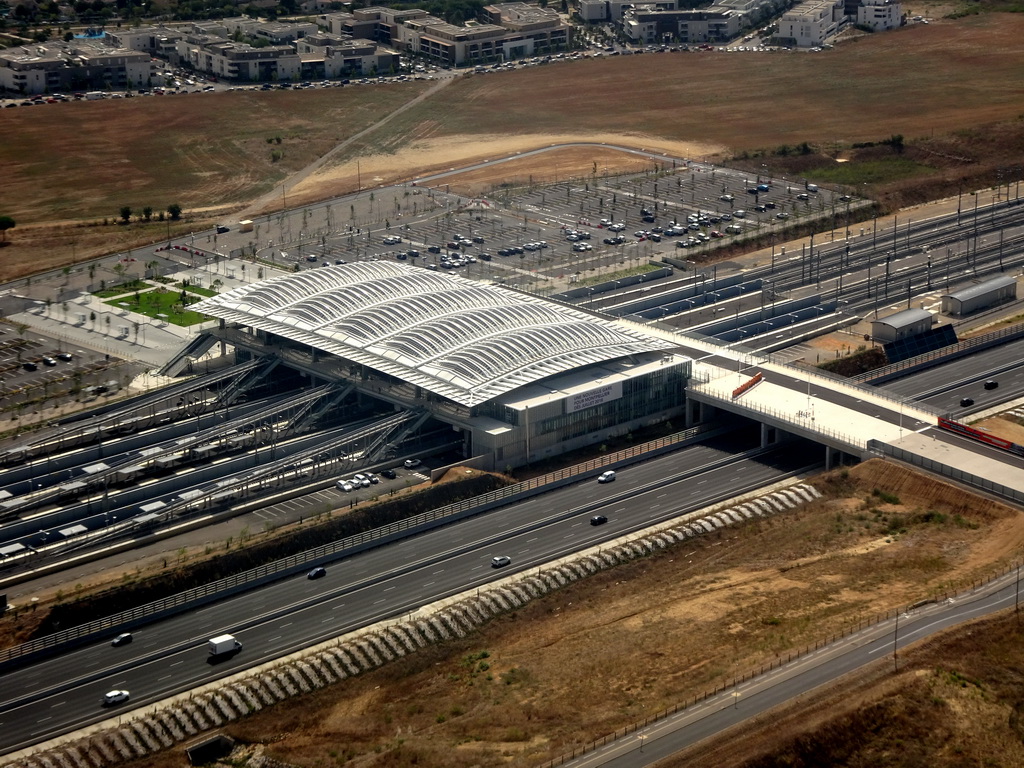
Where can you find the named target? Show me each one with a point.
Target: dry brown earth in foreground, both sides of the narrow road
(629, 643)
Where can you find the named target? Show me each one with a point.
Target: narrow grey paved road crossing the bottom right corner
(758, 696)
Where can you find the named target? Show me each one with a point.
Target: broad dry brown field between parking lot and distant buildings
(71, 165)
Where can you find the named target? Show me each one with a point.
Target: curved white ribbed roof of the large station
(463, 340)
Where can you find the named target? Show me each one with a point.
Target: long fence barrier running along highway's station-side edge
(296, 564)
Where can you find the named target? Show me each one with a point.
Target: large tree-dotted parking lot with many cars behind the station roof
(542, 238)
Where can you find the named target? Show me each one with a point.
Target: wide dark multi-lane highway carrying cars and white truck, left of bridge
(64, 694)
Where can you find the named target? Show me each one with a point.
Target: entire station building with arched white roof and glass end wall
(518, 377)
